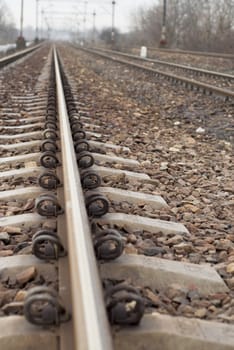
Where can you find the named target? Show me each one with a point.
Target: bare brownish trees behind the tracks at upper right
(191, 24)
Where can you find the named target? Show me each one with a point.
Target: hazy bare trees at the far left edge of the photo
(8, 31)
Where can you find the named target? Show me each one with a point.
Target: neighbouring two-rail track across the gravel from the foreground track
(213, 88)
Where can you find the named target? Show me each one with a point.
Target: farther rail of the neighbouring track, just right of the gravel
(175, 65)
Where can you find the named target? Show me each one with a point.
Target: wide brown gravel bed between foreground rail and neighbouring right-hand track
(183, 140)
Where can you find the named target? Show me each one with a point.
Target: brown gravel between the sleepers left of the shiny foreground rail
(21, 80)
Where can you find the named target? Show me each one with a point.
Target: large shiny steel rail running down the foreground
(91, 326)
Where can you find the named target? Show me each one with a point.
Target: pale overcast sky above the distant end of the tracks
(123, 11)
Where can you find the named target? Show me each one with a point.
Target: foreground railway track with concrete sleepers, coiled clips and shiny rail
(63, 225)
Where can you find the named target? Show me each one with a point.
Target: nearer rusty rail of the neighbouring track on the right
(190, 83)
